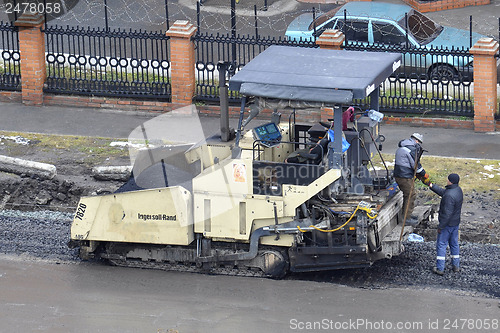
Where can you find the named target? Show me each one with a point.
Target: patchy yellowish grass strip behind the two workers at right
(475, 174)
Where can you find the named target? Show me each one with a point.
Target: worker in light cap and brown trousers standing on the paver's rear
(404, 171)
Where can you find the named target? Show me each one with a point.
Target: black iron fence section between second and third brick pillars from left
(238, 51)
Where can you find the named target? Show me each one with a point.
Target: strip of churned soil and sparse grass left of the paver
(73, 180)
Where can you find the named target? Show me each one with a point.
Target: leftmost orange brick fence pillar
(32, 51)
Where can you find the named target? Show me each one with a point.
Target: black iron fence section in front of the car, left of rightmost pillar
(430, 81)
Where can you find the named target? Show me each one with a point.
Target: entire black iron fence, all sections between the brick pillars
(120, 63)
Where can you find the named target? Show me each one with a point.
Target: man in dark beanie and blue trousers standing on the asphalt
(450, 210)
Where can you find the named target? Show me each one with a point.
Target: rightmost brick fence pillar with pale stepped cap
(485, 84)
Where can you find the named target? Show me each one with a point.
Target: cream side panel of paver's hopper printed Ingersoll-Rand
(157, 216)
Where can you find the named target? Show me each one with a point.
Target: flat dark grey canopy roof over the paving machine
(314, 75)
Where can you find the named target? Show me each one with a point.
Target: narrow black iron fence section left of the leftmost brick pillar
(10, 71)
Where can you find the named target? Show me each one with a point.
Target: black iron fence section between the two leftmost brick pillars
(105, 62)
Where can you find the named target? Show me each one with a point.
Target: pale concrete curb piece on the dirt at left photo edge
(20, 166)
